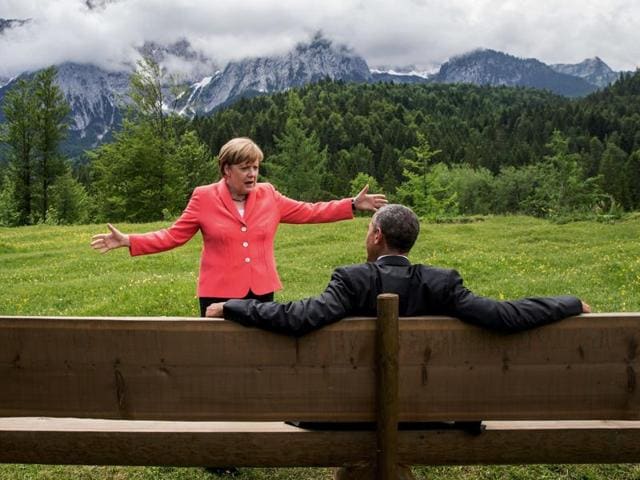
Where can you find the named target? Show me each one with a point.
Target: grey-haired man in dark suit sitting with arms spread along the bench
(423, 290)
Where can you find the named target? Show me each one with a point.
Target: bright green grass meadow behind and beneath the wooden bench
(51, 270)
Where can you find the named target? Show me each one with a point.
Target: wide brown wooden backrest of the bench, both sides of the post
(186, 369)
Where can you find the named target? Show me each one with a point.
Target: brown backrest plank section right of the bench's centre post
(581, 368)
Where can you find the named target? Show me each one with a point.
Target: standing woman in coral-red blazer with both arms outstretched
(238, 218)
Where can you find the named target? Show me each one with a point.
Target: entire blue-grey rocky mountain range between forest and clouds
(96, 96)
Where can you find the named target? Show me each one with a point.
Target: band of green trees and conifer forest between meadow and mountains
(446, 150)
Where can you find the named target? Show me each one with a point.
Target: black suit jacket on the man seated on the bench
(423, 290)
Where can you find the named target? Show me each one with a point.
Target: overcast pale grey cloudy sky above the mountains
(385, 32)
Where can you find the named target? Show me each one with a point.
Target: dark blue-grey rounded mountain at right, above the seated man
(489, 67)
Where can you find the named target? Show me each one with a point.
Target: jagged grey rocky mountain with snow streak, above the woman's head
(306, 63)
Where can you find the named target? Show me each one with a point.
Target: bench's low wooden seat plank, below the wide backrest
(118, 442)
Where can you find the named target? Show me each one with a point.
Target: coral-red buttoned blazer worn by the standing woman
(238, 254)
